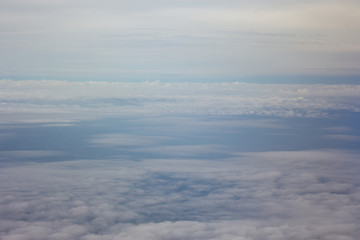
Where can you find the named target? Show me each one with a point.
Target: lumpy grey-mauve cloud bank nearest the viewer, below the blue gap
(272, 195)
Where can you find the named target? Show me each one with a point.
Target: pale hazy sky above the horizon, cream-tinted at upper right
(178, 40)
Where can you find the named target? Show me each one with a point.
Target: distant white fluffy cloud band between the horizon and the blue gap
(64, 102)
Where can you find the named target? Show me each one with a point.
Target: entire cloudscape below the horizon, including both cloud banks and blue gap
(153, 160)
